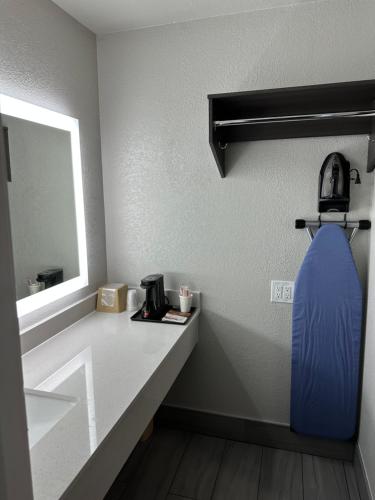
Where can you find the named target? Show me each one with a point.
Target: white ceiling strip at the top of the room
(109, 16)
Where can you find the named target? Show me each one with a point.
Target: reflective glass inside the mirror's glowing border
(41, 201)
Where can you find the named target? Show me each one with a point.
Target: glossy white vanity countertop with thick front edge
(118, 372)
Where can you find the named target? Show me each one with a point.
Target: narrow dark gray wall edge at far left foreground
(15, 474)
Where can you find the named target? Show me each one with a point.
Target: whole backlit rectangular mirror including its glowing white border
(45, 201)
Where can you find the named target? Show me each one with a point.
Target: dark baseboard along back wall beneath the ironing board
(252, 431)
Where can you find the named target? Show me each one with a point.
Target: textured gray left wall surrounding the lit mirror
(48, 59)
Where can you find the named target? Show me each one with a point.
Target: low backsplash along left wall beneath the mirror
(42, 331)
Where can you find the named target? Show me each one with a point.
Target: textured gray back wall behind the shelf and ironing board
(167, 209)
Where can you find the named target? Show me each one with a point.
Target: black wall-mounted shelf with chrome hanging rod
(293, 112)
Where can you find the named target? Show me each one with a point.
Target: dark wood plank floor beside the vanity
(175, 465)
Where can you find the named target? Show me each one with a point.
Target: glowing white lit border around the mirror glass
(30, 112)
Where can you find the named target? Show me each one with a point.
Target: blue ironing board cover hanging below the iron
(326, 345)
